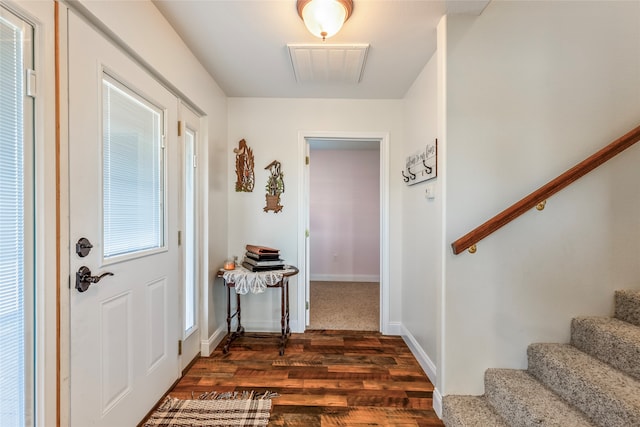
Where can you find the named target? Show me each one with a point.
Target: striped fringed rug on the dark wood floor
(213, 409)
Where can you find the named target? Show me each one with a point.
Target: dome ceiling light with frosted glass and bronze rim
(324, 18)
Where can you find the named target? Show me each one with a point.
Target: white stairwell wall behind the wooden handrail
(534, 88)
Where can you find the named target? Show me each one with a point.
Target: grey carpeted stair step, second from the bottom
(523, 401)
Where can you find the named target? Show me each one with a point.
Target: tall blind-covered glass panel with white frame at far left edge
(16, 223)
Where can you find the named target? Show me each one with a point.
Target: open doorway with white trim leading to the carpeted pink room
(345, 216)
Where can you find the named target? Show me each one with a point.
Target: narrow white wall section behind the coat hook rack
(422, 224)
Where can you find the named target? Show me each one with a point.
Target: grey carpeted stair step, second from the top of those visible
(610, 340)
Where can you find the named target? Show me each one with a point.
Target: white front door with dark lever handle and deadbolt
(123, 200)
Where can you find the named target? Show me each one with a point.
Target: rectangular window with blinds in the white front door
(133, 173)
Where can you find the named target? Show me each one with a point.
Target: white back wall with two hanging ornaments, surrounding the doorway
(271, 127)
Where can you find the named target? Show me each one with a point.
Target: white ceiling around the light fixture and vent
(243, 43)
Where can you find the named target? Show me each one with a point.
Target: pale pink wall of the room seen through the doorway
(345, 215)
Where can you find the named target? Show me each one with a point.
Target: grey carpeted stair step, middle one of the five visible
(606, 395)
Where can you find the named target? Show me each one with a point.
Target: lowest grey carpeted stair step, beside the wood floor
(469, 411)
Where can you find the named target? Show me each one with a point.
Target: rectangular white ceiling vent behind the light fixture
(328, 63)
